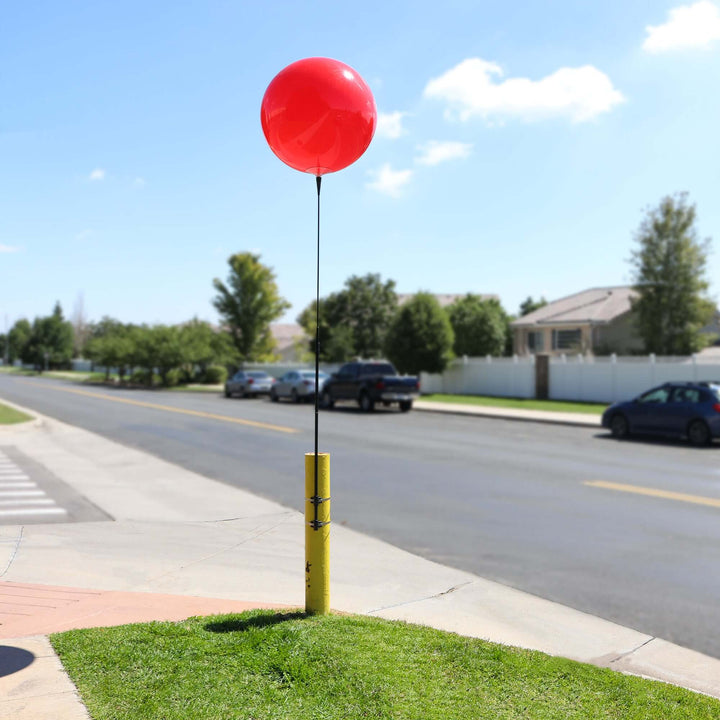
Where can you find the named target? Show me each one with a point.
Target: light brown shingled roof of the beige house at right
(596, 306)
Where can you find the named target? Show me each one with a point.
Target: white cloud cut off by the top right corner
(688, 26)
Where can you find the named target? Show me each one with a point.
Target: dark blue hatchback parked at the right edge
(689, 410)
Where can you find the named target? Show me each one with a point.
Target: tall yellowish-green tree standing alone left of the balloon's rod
(248, 304)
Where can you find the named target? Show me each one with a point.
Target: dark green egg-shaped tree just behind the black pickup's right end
(420, 338)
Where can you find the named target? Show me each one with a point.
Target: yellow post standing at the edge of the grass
(317, 535)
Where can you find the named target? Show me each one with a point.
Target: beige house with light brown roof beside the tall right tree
(597, 321)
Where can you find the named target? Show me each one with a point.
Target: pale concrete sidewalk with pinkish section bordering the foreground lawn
(181, 544)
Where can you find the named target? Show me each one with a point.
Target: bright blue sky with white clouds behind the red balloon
(519, 145)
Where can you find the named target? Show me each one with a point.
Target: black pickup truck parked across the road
(369, 383)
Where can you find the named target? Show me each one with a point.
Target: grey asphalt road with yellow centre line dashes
(507, 500)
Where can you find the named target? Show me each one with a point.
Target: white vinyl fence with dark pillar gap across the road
(576, 377)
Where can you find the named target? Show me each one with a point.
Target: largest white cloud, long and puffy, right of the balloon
(471, 89)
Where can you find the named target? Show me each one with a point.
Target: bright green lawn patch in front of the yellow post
(264, 665)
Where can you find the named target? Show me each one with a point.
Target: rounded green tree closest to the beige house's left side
(480, 326)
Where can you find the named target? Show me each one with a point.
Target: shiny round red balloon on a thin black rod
(318, 115)
